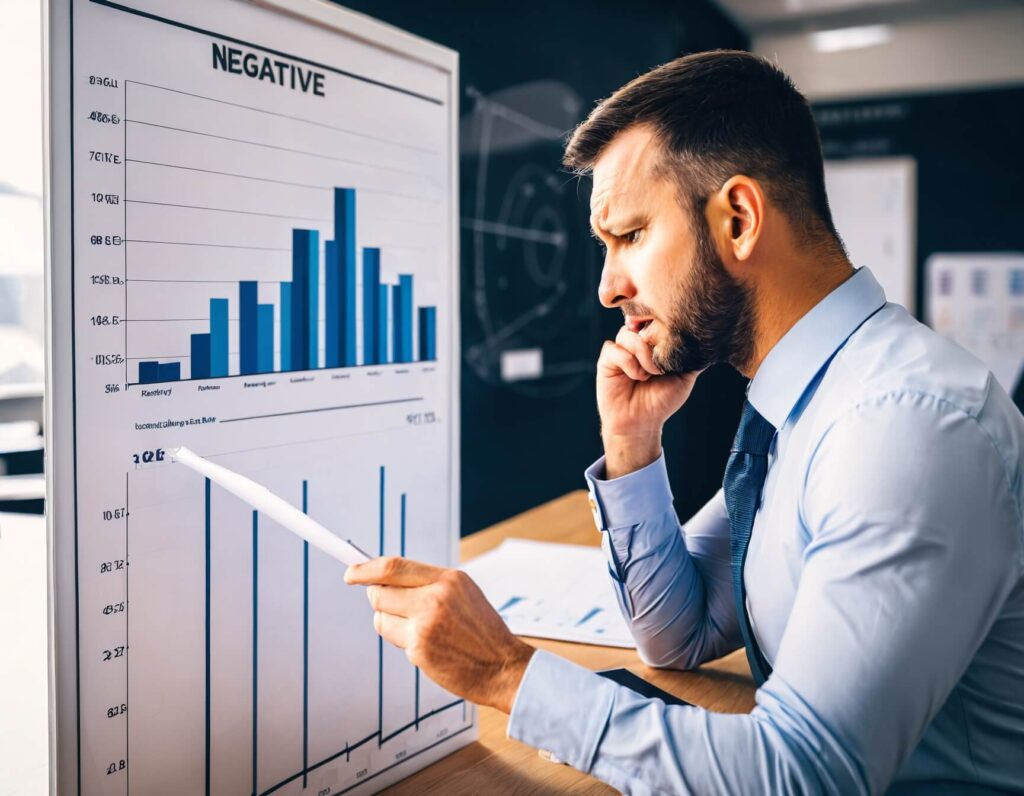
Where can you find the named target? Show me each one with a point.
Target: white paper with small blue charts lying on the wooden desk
(550, 591)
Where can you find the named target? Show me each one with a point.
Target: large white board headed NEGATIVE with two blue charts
(253, 254)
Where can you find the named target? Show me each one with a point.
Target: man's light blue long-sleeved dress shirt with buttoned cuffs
(885, 584)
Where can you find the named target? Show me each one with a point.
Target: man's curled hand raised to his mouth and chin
(634, 399)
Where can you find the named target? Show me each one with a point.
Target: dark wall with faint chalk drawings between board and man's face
(530, 270)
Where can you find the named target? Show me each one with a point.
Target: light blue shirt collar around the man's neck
(795, 361)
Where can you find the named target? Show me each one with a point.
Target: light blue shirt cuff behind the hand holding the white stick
(562, 708)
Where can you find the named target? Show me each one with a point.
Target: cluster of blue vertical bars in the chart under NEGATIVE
(285, 336)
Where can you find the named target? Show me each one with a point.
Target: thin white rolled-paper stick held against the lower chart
(277, 509)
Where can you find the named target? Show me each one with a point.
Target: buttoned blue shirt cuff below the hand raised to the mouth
(638, 497)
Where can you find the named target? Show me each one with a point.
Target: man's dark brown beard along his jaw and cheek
(713, 318)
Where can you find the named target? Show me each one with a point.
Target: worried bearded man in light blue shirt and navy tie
(868, 547)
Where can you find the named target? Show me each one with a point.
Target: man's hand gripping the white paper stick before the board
(447, 627)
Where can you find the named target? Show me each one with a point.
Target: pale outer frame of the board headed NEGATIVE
(60, 394)
